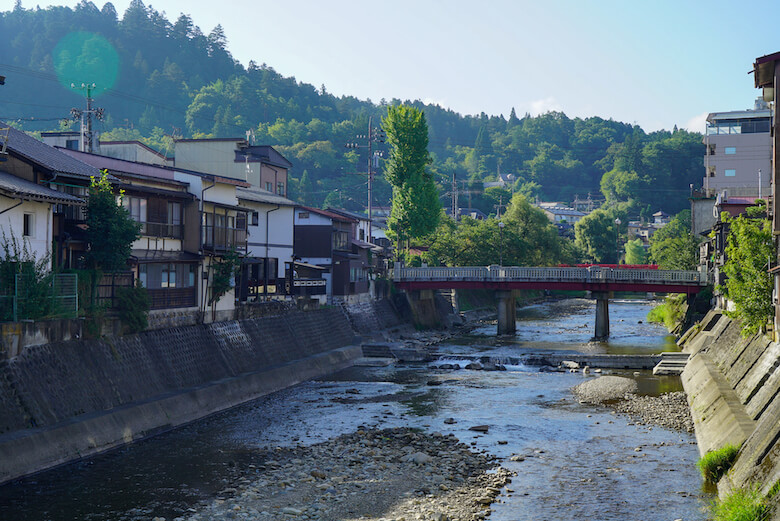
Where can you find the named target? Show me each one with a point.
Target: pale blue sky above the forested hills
(656, 63)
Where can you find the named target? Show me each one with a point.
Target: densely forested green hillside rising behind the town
(172, 79)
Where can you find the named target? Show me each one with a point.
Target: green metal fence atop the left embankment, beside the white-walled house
(32, 299)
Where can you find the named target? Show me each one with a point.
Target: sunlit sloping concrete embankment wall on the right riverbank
(733, 387)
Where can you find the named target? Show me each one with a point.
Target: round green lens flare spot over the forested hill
(86, 58)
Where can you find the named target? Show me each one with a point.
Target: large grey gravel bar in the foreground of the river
(392, 474)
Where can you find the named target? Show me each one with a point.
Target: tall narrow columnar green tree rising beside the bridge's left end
(415, 207)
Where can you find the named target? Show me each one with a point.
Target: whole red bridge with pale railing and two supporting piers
(600, 280)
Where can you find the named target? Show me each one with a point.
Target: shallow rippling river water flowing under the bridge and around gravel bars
(581, 462)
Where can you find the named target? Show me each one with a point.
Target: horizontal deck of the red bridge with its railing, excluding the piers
(593, 278)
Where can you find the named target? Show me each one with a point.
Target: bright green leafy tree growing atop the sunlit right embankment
(749, 250)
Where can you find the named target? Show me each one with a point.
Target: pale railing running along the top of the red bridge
(556, 274)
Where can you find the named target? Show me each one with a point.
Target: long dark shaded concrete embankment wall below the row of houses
(63, 401)
